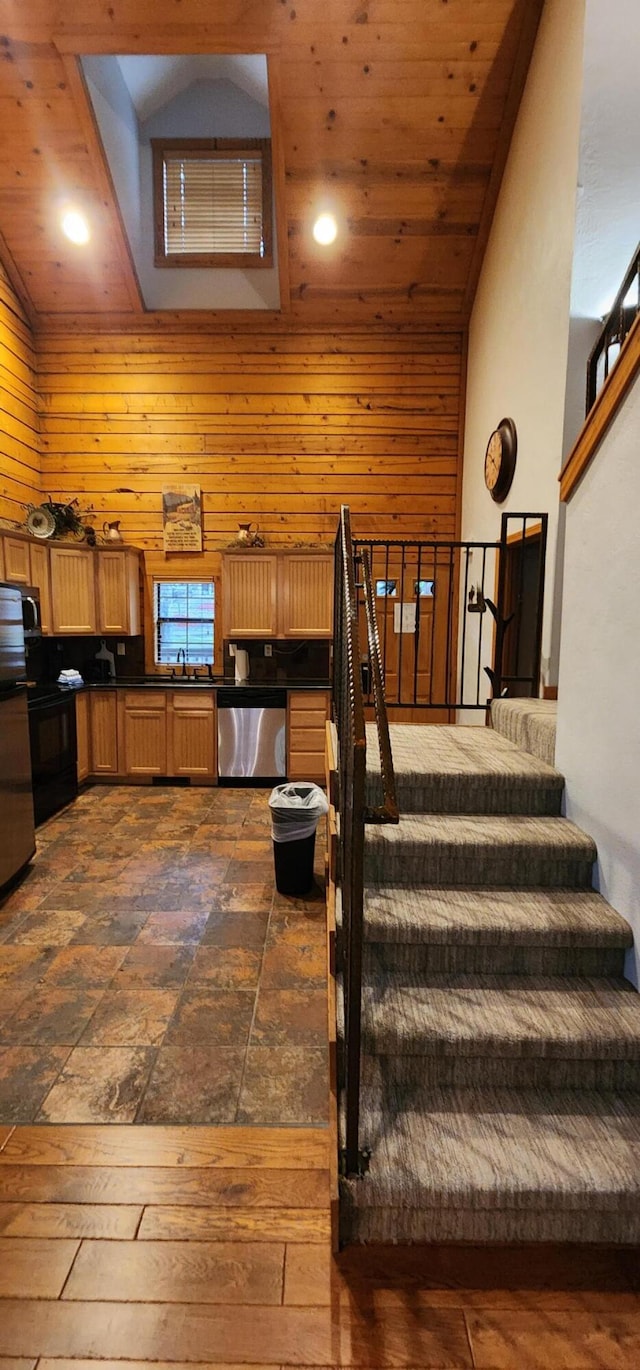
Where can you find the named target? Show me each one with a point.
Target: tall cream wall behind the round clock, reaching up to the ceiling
(520, 325)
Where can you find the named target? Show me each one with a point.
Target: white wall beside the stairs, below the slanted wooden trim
(598, 745)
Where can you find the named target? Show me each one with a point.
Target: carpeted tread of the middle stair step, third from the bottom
(494, 917)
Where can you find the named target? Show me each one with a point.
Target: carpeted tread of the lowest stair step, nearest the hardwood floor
(537, 1150)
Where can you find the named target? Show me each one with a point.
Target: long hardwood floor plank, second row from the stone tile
(231, 1187)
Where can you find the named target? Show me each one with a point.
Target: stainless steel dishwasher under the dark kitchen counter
(251, 735)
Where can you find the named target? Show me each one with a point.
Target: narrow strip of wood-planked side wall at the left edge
(20, 436)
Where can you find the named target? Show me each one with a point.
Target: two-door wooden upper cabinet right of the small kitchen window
(278, 595)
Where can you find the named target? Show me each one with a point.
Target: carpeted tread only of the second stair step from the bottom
(483, 1016)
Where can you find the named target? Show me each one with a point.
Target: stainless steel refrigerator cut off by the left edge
(17, 827)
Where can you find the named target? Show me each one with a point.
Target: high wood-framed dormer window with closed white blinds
(213, 202)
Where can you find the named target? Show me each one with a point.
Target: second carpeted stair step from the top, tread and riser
(500, 851)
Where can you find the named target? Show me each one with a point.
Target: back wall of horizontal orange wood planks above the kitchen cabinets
(275, 428)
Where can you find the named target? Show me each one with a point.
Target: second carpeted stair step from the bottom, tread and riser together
(509, 1034)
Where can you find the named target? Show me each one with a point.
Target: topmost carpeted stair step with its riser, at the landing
(463, 771)
